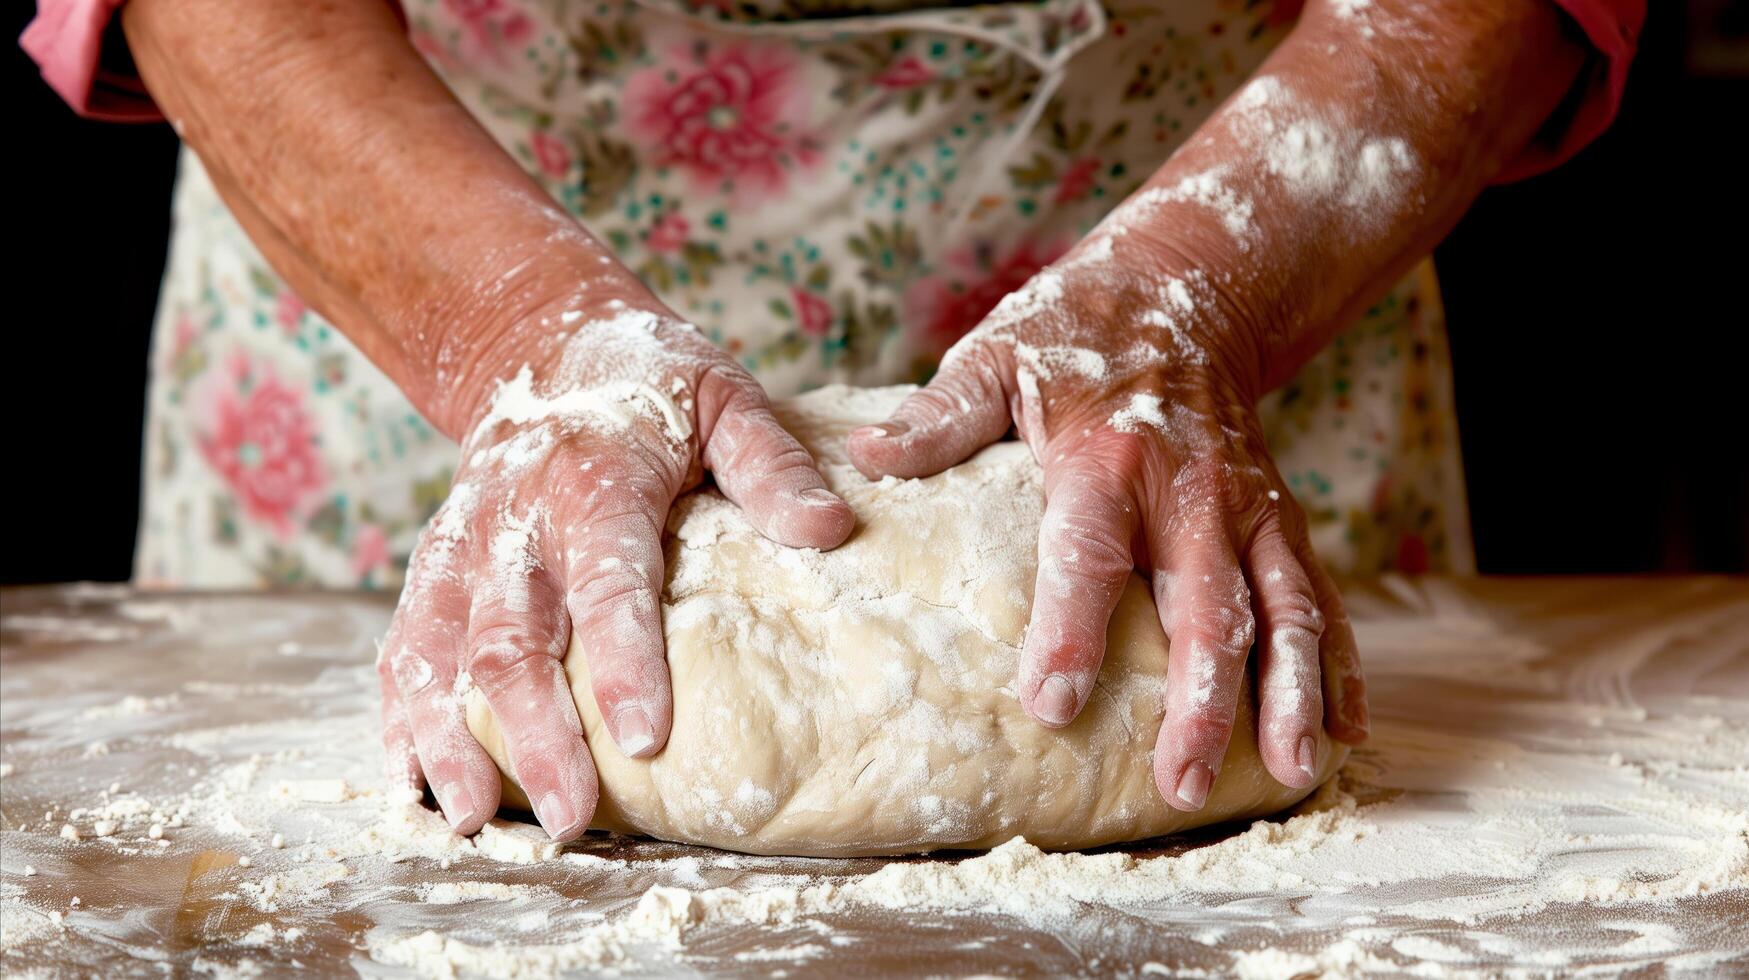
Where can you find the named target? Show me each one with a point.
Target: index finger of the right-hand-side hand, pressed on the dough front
(1085, 561)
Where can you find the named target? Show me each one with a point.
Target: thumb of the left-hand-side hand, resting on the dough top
(767, 473)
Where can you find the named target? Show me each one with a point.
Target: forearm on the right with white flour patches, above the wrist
(1351, 153)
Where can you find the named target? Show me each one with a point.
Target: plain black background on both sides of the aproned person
(1598, 326)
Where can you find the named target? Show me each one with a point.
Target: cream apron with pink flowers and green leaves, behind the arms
(833, 195)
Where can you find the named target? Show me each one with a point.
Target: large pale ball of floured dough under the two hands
(863, 701)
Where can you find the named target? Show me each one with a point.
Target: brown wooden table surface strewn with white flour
(1557, 780)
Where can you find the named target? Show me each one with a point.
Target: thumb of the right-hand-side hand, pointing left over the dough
(963, 410)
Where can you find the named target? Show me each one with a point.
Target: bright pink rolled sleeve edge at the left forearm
(67, 45)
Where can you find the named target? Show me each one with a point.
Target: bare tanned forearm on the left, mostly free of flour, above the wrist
(372, 190)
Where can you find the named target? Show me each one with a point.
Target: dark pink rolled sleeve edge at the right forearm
(1613, 29)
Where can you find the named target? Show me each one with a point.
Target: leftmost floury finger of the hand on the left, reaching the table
(422, 652)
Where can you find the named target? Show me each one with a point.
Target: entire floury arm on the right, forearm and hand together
(1132, 367)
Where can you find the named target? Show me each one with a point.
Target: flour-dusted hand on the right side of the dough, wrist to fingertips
(1129, 382)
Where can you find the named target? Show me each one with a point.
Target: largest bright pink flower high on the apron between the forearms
(732, 115)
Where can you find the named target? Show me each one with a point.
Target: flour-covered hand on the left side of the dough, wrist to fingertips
(554, 526)
